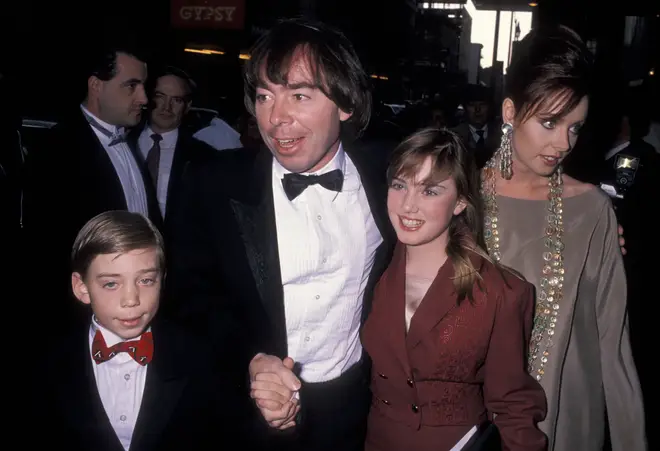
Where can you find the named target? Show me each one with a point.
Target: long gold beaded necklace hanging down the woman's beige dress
(550, 291)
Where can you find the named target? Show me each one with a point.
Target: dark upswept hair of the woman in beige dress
(551, 66)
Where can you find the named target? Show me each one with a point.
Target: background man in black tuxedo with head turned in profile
(86, 167)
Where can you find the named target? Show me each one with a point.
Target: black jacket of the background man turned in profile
(70, 179)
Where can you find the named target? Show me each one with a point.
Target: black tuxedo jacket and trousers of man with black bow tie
(224, 257)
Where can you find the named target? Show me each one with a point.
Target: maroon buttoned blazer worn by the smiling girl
(456, 367)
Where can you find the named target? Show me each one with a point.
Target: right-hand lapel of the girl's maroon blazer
(438, 301)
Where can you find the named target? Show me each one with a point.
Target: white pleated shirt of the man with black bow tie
(327, 242)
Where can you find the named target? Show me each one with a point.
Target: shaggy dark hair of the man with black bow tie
(330, 56)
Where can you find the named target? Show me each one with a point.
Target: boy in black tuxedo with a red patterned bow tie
(125, 381)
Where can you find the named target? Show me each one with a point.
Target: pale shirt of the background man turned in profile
(125, 165)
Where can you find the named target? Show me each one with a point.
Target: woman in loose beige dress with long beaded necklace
(561, 234)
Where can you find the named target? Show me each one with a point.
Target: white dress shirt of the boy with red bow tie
(120, 382)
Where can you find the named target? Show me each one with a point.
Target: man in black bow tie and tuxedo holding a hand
(279, 249)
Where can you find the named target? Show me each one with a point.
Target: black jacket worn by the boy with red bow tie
(188, 403)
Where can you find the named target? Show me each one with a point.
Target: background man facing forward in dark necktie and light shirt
(164, 145)
